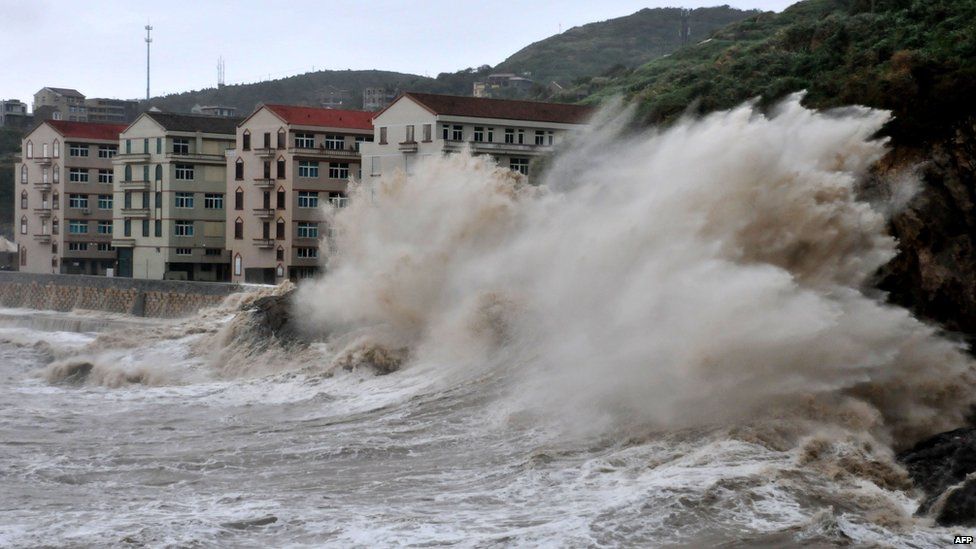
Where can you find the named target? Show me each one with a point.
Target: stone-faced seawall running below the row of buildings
(149, 298)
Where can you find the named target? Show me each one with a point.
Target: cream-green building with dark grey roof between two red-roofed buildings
(170, 183)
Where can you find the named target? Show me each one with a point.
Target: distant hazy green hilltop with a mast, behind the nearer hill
(630, 41)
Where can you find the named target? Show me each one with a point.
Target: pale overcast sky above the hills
(97, 46)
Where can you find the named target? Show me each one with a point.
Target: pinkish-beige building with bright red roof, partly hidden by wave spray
(288, 162)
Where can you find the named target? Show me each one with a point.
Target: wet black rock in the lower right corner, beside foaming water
(940, 463)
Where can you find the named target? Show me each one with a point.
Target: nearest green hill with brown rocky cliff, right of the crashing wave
(916, 58)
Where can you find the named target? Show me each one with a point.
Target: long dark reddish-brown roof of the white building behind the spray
(480, 107)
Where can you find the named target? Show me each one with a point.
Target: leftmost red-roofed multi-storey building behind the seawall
(64, 197)
